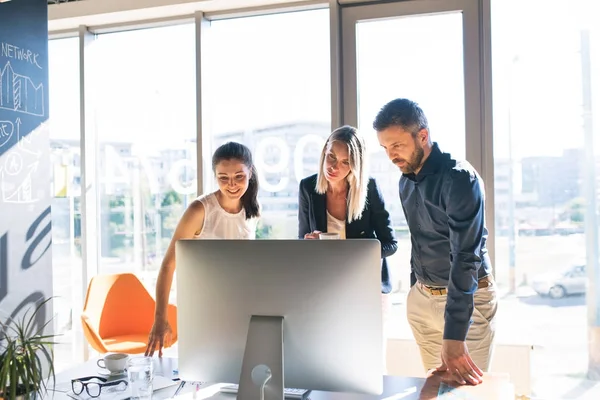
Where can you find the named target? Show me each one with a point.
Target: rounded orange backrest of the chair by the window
(119, 304)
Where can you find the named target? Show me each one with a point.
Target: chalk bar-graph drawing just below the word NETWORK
(19, 93)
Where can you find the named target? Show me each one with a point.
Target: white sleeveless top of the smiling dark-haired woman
(220, 224)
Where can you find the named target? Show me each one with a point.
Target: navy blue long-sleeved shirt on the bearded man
(444, 205)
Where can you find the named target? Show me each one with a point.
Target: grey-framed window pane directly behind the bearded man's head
(436, 82)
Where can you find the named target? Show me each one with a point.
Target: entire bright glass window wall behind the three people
(266, 82)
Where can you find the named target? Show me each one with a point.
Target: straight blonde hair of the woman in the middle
(357, 177)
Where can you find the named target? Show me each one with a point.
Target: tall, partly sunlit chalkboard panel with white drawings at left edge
(25, 218)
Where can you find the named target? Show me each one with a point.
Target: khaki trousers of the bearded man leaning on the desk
(425, 313)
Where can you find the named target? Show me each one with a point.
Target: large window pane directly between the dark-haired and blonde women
(268, 86)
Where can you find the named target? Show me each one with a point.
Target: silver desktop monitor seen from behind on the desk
(305, 312)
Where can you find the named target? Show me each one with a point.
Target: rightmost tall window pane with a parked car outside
(544, 183)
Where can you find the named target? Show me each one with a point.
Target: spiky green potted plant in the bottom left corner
(25, 355)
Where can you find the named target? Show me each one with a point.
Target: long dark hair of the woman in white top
(237, 151)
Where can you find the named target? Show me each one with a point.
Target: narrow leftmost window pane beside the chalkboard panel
(65, 192)
